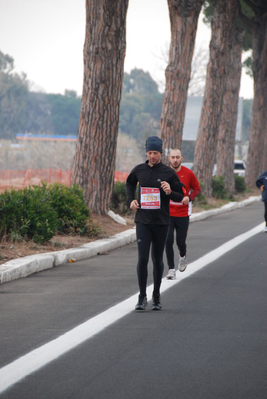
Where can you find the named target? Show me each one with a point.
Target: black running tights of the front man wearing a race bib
(146, 235)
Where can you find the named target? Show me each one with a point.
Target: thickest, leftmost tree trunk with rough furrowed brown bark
(104, 53)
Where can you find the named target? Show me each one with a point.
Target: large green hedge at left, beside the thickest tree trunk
(39, 212)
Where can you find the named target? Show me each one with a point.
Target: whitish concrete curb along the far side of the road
(23, 267)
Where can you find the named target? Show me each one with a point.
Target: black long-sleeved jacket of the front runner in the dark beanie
(148, 176)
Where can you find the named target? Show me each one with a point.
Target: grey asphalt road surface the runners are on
(209, 341)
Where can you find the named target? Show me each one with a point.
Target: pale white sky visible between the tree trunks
(45, 38)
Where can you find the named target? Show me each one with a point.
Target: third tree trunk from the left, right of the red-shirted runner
(207, 139)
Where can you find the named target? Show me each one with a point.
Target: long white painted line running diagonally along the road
(38, 358)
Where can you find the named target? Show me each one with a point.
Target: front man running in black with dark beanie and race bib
(158, 184)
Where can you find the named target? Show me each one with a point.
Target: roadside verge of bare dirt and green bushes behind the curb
(74, 225)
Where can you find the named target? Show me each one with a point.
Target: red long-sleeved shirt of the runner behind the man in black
(192, 187)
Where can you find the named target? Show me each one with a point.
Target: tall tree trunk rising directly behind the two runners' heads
(183, 18)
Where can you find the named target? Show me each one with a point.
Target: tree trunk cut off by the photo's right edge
(257, 141)
